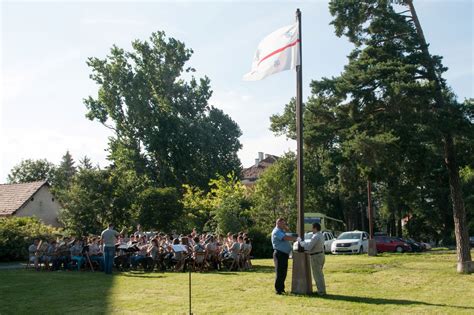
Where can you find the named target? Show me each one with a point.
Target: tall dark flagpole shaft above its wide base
(299, 132)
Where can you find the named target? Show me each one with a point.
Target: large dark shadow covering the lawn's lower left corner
(58, 292)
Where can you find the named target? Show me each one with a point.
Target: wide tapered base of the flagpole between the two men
(301, 282)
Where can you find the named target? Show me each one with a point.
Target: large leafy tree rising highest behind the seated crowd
(164, 126)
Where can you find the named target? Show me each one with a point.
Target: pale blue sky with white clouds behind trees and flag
(44, 46)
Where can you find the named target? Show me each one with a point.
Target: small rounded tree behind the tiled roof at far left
(31, 171)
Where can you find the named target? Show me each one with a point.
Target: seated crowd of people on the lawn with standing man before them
(146, 251)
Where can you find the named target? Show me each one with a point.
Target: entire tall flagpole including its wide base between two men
(301, 278)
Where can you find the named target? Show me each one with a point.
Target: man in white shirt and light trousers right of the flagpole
(315, 247)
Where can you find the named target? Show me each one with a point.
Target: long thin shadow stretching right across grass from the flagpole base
(382, 301)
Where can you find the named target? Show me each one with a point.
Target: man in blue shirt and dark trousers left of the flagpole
(281, 253)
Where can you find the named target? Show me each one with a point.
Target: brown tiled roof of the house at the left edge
(14, 196)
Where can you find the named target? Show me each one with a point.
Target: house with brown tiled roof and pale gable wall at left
(32, 199)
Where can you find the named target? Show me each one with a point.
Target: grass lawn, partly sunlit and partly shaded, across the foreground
(390, 283)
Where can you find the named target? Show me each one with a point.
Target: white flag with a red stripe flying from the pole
(277, 52)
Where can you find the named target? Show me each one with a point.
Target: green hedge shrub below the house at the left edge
(17, 233)
